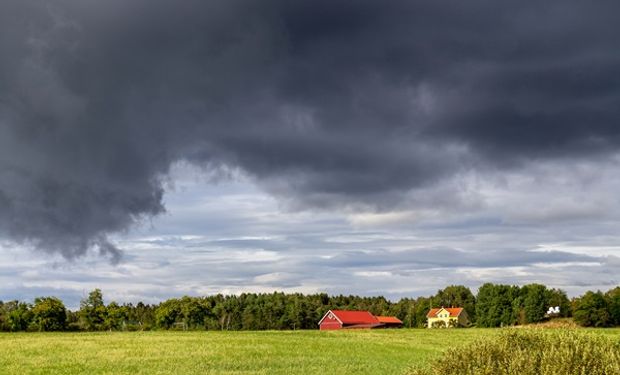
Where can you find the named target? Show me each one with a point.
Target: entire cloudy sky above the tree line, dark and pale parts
(156, 149)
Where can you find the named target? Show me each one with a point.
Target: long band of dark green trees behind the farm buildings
(494, 306)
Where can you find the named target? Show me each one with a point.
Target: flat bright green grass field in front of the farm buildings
(266, 352)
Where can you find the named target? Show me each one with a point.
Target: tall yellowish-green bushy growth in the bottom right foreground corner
(531, 352)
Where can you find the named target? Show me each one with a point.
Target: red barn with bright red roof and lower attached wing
(343, 319)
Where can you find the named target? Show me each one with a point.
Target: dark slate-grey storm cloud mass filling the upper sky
(322, 102)
